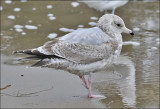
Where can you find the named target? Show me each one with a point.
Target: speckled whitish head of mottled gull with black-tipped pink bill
(112, 23)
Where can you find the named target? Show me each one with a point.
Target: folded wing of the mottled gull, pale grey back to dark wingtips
(81, 46)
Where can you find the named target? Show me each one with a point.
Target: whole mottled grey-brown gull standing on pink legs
(84, 51)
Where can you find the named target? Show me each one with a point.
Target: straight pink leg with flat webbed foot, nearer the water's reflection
(89, 85)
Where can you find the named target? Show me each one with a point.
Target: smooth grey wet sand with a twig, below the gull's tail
(43, 88)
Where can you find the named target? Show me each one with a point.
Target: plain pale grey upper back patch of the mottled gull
(89, 36)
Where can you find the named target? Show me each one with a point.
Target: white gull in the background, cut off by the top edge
(105, 5)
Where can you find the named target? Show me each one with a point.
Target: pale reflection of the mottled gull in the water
(122, 78)
